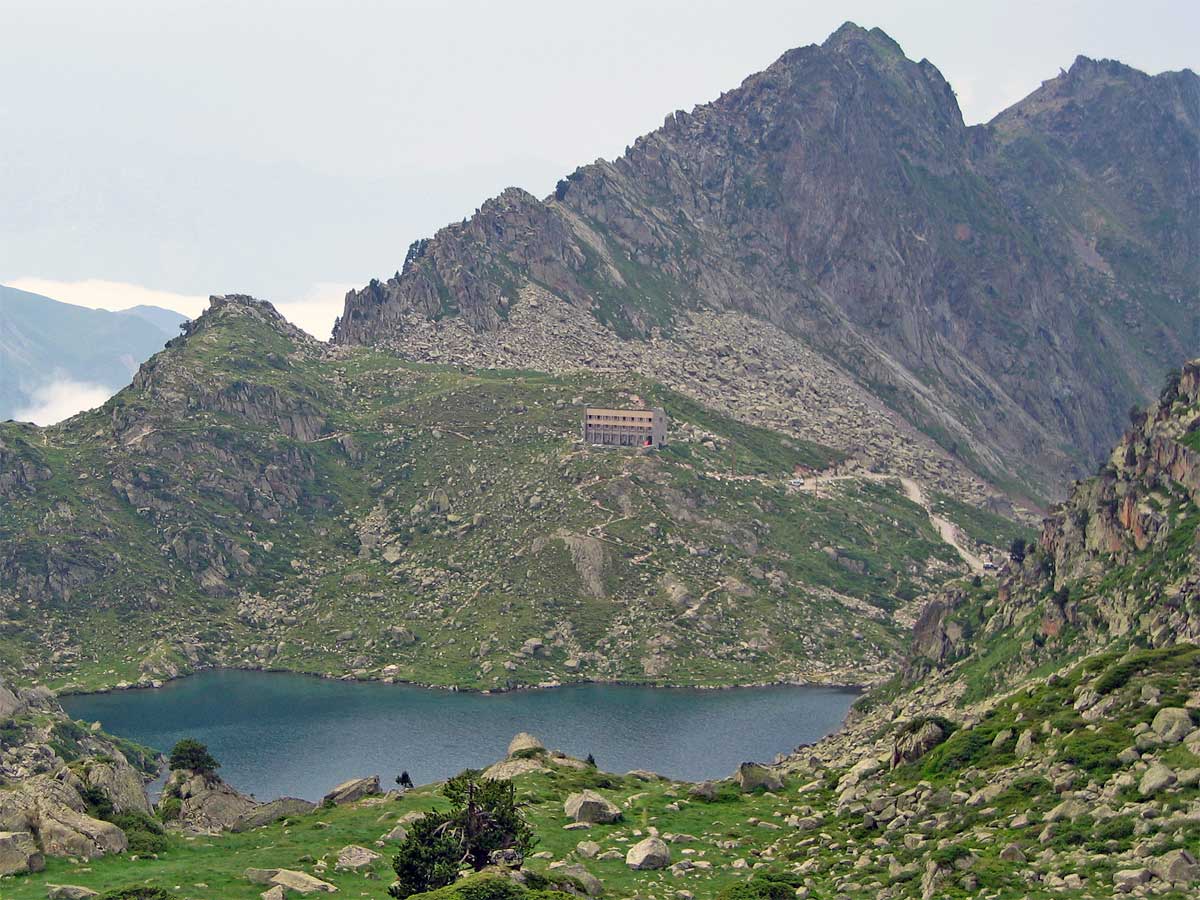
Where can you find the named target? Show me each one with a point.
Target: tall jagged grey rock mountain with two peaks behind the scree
(1006, 289)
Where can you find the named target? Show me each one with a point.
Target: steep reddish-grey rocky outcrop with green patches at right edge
(1115, 563)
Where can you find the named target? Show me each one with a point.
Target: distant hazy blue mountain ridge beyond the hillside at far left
(44, 341)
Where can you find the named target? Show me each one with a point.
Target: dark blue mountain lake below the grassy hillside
(293, 735)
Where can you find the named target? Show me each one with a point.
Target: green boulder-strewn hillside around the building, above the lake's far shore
(497, 451)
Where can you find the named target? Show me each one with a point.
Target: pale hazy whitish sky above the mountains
(160, 151)
